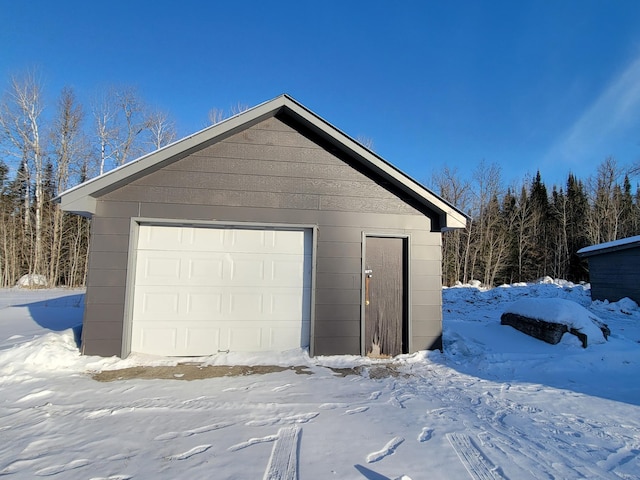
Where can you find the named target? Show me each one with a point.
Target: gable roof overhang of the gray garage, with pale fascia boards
(81, 199)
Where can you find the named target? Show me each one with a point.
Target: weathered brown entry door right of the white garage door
(385, 297)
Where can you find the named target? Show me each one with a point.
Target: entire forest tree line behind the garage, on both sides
(515, 234)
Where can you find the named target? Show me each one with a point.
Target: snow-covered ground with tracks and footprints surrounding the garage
(496, 404)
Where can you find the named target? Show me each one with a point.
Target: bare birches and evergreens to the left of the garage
(48, 148)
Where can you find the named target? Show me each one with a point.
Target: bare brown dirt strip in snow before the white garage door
(186, 371)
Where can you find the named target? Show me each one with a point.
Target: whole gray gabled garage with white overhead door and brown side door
(271, 230)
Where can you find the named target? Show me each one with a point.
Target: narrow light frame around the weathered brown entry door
(406, 321)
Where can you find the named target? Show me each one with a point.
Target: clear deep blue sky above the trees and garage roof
(528, 85)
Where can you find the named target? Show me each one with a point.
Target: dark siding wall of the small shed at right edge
(615, 275)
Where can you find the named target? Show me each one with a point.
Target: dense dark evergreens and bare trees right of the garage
(526, 232)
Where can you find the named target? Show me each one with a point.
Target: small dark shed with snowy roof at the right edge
(614, 269)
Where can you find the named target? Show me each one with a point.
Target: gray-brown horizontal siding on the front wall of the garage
(270, 174)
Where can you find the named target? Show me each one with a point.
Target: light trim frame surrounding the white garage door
(134, 229)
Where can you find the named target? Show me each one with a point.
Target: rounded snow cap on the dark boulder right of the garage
(563, 312)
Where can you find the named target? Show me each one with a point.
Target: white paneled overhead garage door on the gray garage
(199, 291)
